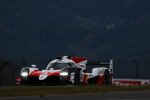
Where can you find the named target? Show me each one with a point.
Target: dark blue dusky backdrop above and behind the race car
(38, 31)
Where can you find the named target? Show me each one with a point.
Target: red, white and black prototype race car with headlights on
(69, 70)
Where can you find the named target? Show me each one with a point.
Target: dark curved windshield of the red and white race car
(58, 66)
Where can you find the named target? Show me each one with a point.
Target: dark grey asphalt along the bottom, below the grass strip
(144, 95)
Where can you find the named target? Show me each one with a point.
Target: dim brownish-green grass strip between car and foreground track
(47, 90)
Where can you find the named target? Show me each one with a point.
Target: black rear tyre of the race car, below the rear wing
(107, 78)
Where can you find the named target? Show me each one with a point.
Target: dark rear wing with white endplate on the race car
(108, 64)
